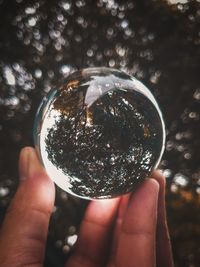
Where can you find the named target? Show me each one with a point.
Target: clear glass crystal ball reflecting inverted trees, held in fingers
(99, 134)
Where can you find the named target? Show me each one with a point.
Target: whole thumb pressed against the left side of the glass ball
(24, 231)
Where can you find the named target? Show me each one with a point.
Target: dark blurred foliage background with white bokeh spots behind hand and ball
(158, 42)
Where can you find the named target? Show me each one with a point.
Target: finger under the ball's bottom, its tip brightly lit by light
(94, 238)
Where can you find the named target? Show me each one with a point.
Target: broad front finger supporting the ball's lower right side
(136, 245)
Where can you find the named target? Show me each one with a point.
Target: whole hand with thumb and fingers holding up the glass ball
(122, 232)
